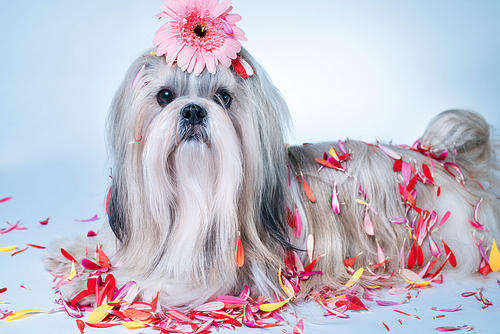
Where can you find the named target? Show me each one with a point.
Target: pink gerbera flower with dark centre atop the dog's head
(202, 33)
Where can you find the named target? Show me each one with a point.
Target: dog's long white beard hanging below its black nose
(191, 185)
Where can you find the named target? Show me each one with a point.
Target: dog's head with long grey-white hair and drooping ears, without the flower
(198, 158)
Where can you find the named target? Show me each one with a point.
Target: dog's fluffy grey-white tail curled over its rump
(470, 143)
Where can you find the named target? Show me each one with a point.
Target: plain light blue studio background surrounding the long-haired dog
(362, 69)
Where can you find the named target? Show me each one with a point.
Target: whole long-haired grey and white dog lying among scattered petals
(209, 163)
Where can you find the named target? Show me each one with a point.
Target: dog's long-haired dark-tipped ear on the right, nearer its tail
(273, 123)
